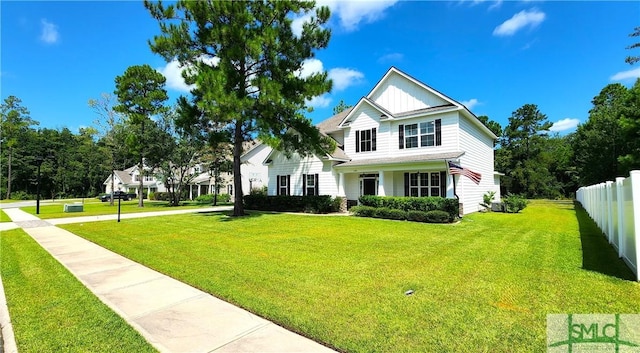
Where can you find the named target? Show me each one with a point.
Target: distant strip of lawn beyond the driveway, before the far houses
(97, 208)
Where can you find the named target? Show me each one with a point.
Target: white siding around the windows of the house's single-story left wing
(296, 167)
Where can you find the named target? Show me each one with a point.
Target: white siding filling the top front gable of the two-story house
(398, 95)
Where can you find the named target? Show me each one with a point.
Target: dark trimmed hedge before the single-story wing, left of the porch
(284, 203)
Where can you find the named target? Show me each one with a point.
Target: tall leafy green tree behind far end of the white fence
(599, 142)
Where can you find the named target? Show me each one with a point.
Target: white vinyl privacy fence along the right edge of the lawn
(615, 207)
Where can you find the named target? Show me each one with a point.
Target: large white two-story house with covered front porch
(398, 140)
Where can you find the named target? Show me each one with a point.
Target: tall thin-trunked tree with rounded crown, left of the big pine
(141, 94)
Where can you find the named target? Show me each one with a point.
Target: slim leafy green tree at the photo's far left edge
(15, 121)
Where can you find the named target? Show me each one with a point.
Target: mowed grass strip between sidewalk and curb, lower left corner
(51, 311)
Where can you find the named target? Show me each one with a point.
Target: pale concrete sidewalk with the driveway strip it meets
(172, 316)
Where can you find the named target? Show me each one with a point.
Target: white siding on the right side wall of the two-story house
(478, 157)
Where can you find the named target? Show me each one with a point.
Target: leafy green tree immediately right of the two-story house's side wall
(521, 153)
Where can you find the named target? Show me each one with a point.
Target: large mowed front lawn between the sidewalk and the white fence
(485, 284)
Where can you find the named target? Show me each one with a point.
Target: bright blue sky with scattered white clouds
(493, 56)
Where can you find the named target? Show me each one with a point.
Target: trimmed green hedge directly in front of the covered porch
(424, 204)
